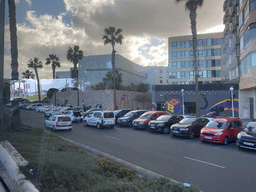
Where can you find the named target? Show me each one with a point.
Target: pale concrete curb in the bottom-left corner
(17, 178)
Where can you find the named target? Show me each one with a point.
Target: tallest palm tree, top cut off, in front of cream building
(191, 6)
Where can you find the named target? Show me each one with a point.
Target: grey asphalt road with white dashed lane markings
(212, 167)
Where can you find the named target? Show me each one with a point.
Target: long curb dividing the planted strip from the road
(139, 170)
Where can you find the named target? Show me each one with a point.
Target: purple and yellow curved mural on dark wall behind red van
(224, 105)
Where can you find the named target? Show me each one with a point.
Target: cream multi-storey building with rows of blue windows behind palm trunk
(181, 64)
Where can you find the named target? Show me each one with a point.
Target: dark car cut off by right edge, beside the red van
(247, 137)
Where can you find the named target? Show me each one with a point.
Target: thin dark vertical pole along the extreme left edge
(2, 14)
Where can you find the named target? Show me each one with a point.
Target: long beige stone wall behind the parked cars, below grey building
(103, 97)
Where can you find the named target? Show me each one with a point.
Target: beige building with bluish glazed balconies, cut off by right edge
(247, 37)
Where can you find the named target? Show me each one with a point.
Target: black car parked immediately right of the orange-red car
(163, 123)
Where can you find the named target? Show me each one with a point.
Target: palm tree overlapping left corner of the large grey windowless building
(75, 55)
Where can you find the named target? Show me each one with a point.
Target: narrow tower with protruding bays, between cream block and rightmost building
(230, 54)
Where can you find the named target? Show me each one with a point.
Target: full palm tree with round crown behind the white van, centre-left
(113, 36)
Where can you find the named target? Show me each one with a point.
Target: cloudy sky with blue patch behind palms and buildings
(51, 27)
